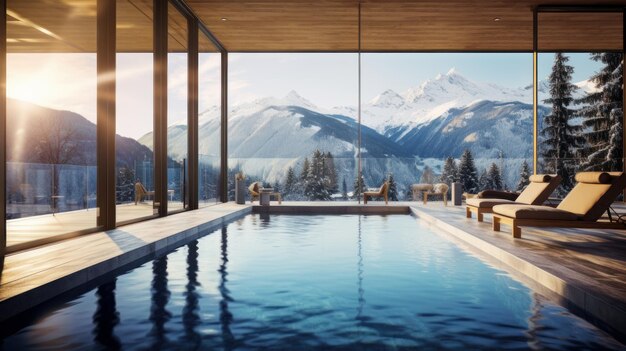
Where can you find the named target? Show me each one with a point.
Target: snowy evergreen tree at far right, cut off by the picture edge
(603, 115)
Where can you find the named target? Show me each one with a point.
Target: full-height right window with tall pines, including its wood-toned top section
(580, 74)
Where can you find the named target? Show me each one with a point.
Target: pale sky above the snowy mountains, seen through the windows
(68, 81)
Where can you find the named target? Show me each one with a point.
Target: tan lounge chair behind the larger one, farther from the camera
(536, 193)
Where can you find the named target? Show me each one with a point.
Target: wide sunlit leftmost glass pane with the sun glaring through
(51, 119)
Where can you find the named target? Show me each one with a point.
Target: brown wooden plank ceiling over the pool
(324, 25)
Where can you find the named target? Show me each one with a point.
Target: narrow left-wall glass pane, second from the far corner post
(176, 109)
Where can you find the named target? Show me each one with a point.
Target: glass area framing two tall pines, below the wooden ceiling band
(583, 91)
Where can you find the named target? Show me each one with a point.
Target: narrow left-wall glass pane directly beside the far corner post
(209, 107)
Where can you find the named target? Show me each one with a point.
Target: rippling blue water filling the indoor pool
(310, 282)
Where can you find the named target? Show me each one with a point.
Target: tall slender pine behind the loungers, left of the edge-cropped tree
(561, 138)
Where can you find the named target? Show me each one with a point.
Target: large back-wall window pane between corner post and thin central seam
(292, 124)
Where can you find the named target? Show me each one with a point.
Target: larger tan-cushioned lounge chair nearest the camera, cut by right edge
(581, 208)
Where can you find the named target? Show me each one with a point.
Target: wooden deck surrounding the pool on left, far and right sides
(583, 269)
